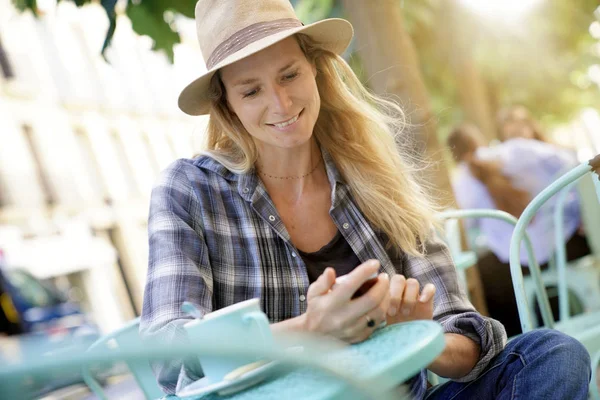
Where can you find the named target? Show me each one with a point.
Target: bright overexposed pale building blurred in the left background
(81, 142)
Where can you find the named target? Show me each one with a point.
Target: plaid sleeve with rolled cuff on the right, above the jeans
(452, 309)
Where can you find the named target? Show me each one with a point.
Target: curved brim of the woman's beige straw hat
(333, 34)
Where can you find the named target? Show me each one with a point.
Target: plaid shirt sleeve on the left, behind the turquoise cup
(178, 271)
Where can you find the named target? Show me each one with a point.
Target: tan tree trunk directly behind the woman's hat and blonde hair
(391, 63)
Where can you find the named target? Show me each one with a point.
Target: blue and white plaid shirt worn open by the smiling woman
(216, 239)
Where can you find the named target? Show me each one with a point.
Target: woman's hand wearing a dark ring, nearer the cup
(332, 311)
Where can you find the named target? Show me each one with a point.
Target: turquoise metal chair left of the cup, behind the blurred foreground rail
(140, 370)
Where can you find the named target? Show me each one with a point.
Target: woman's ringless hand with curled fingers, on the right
(406, 303)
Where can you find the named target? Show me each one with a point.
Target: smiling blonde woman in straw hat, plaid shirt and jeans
(301, 182)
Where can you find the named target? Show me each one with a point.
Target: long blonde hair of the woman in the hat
(359, 131)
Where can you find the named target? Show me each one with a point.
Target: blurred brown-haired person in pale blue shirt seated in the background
(506, 177)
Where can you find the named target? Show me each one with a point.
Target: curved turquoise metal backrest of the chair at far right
(561, 184)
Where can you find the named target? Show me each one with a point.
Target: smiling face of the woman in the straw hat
(274, 95)
